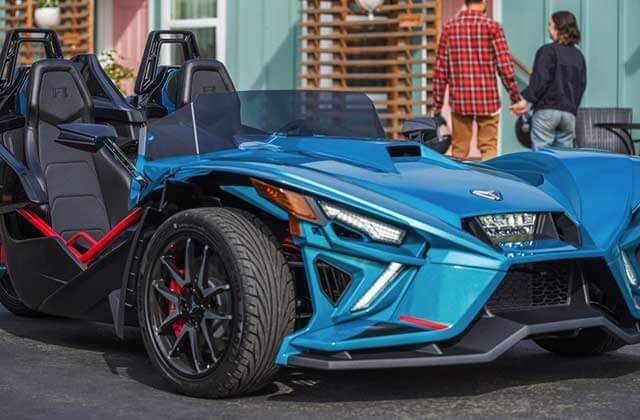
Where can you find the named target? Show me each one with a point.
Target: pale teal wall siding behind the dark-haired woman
(611, 46)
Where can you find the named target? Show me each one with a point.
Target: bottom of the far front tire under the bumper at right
(588, 342)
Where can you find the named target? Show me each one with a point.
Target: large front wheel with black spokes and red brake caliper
(257, 307)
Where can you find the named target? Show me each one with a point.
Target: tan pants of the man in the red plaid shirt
(463, 132)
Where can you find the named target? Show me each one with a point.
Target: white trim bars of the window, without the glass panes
(219, 23)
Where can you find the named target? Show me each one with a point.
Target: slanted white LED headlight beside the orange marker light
(374, 229)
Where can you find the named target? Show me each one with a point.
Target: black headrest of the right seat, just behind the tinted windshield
(199, 76)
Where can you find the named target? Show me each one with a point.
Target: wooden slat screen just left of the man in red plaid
(390, 58)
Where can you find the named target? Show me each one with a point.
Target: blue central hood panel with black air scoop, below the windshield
(426, 181)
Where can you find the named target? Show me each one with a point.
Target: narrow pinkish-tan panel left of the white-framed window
(130, 29)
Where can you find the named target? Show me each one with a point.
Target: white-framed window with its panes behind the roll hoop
(205, 18)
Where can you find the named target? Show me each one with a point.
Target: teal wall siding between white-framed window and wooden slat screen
(261, 43)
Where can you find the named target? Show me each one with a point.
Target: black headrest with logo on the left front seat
(57, 92)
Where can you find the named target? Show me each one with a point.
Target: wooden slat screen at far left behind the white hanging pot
(75, 30)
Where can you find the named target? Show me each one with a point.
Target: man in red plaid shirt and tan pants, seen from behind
(472, 50)
